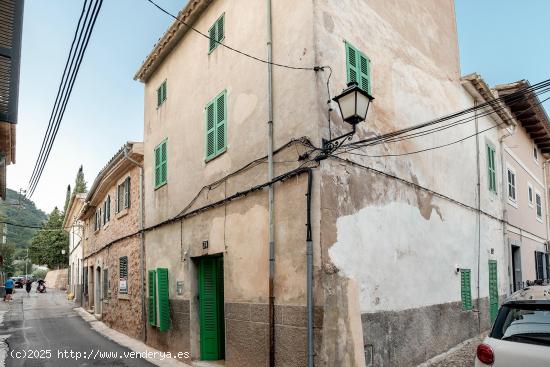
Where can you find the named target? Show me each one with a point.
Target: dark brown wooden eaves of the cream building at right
(529, 112)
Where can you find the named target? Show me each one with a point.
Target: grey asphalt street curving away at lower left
(43, 330)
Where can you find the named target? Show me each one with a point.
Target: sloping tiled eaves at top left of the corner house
(189, 14)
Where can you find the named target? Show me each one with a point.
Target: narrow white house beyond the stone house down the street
(74, 226)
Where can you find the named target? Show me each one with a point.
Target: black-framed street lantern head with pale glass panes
(354, 104)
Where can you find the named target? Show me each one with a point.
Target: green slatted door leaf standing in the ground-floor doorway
(209, 310)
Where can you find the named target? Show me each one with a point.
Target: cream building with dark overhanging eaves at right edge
(526, 154)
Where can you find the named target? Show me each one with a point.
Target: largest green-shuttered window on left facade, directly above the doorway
(216, 126)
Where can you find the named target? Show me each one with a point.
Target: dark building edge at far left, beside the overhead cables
(11, 26)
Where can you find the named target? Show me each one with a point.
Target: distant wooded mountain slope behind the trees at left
(20, 210)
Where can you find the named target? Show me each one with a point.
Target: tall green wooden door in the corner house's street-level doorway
(211, 308)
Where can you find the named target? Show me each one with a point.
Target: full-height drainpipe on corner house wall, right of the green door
(271, 225)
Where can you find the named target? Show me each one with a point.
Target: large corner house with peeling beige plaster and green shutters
(408, 236)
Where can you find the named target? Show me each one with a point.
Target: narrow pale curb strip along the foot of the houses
(125, 341)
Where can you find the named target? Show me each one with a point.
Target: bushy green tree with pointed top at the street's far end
(48, 243)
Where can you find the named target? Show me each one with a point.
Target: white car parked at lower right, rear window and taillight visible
(521, 333)
